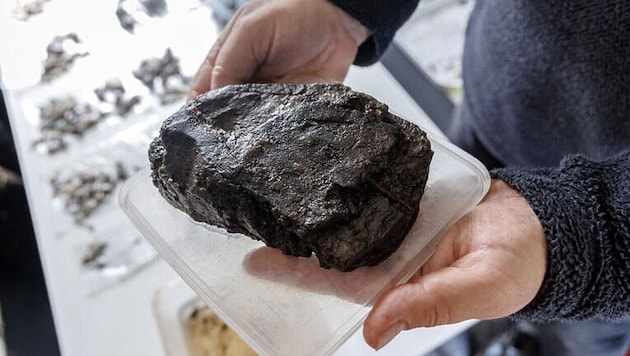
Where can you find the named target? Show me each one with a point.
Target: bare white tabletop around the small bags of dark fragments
(120, 320)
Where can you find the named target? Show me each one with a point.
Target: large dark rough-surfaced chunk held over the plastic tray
(315, 168)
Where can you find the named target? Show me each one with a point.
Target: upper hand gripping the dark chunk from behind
(291, 41)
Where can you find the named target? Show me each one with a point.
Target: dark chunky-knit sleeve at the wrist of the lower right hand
(584, 207)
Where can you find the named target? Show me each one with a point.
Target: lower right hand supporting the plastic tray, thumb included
(490, 264)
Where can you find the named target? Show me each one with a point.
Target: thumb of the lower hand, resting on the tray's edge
(445, 296)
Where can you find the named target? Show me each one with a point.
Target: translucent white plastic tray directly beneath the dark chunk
(290, 306)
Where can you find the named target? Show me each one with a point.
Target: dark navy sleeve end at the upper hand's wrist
(383, 18)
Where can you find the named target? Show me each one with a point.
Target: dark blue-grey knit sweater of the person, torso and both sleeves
(547, 87)
